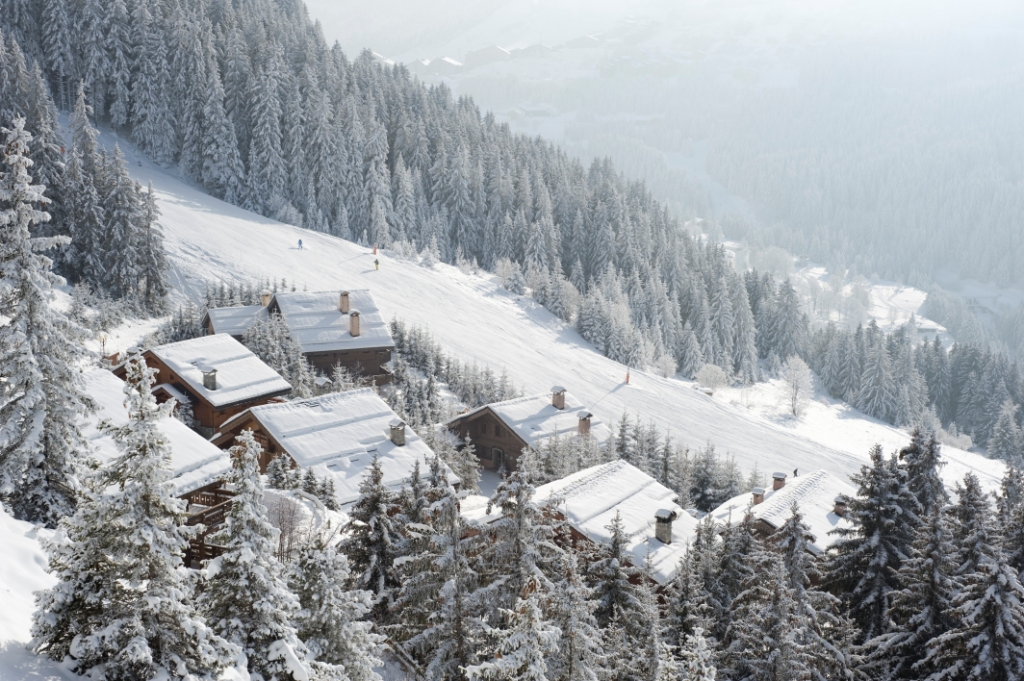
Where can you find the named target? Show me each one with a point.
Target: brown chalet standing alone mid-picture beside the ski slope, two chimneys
(502, 431)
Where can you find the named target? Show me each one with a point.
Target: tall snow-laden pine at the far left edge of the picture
(42, 399)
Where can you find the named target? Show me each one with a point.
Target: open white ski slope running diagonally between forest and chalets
(478, 321)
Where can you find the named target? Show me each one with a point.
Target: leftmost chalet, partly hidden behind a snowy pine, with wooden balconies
(198, 467)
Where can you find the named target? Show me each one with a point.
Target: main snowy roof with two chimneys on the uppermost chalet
(319, 326)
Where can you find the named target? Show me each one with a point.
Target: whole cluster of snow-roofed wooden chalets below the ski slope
(222, 389)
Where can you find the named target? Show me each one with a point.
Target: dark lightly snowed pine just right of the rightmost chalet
(864, 563)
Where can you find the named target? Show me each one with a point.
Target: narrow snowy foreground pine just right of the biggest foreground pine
(246, 600)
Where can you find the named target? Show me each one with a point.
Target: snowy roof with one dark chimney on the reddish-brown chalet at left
(241, 375)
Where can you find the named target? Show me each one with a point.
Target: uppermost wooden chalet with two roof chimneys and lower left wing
(332, 328)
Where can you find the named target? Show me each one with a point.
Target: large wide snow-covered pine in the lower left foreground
(123, 607)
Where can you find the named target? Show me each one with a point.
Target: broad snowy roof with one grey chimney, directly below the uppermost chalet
(339, 435)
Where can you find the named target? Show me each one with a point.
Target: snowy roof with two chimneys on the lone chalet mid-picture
(535, 419)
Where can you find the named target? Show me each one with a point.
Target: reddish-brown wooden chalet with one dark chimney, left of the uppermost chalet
(217, 376)
